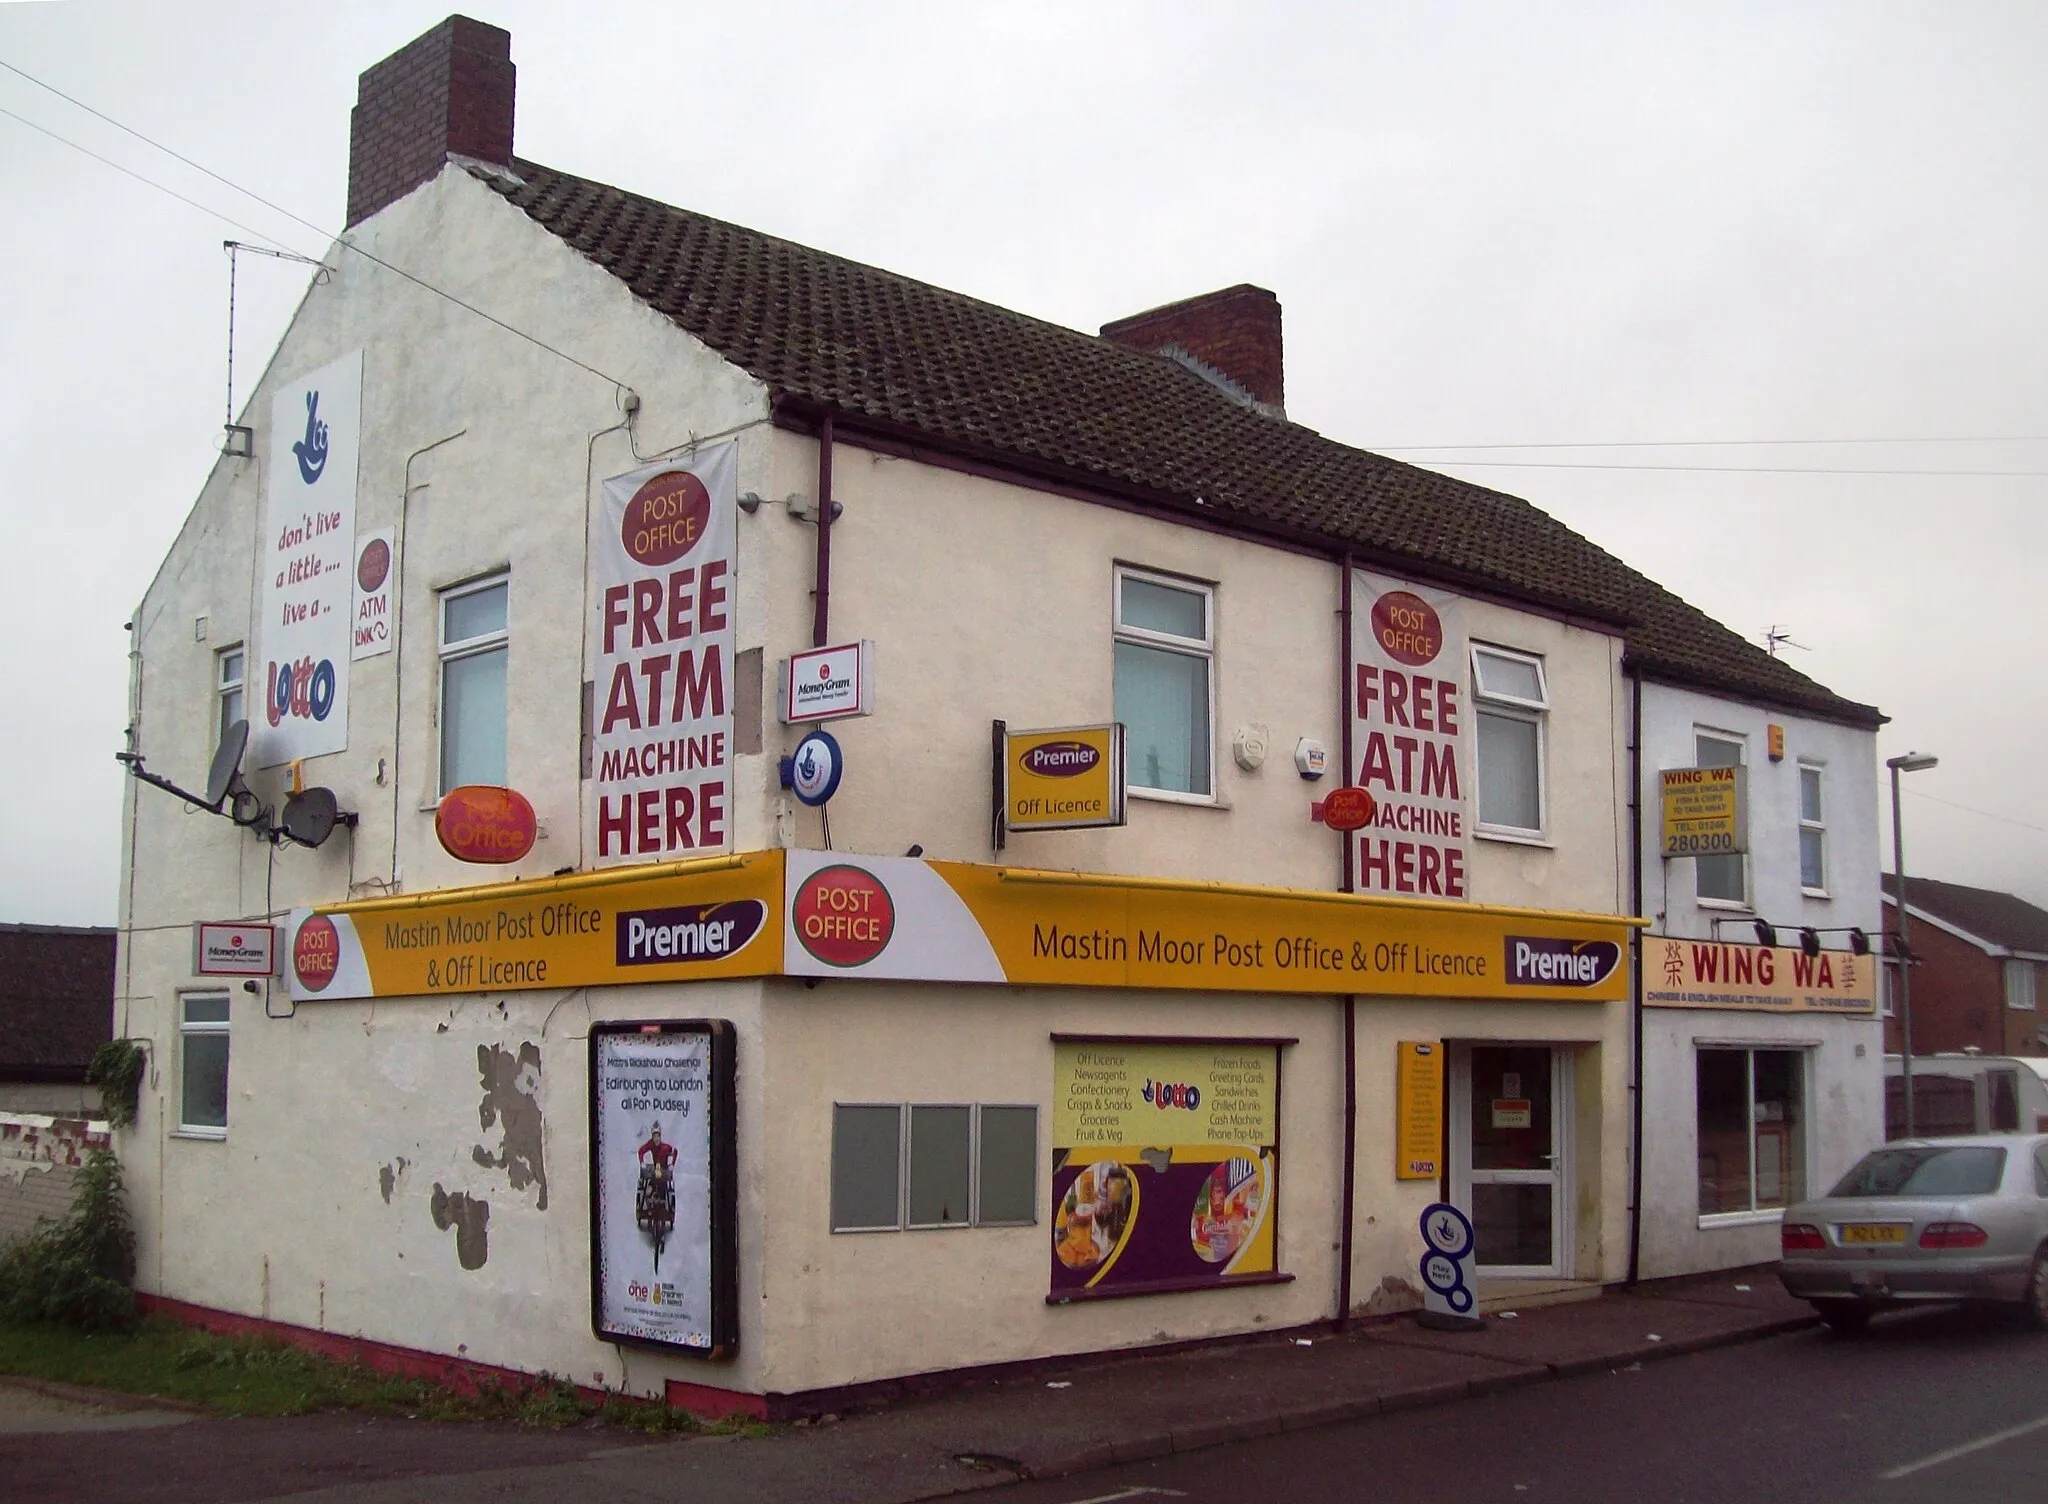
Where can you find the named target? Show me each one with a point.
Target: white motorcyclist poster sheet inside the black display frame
(652, 1097)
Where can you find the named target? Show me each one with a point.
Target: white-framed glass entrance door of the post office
(1510, 1157)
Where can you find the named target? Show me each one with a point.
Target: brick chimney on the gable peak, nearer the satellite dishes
(450, 91)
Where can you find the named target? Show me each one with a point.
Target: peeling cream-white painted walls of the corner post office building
(986, 601)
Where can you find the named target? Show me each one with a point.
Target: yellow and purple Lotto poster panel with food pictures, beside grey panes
(1164, 1165)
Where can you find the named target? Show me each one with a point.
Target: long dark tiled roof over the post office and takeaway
(1000, 386)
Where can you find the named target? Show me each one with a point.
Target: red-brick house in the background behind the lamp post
(1983, 968)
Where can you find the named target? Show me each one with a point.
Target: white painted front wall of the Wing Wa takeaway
(1846, 1056)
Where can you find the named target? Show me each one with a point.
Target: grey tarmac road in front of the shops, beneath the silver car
(1926, 1409)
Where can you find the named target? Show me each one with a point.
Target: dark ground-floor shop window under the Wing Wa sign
(1752, 1112)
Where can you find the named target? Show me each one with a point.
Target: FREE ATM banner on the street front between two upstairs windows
(1412, 737)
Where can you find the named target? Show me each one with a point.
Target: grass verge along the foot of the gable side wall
(253, 1378)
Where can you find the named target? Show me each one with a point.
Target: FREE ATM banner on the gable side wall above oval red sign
(663, 659)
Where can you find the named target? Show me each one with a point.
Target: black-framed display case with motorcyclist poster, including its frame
(663, 1185)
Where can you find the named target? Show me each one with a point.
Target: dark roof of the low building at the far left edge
(56, 1001)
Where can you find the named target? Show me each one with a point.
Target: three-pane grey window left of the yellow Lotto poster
(933, 1165)
